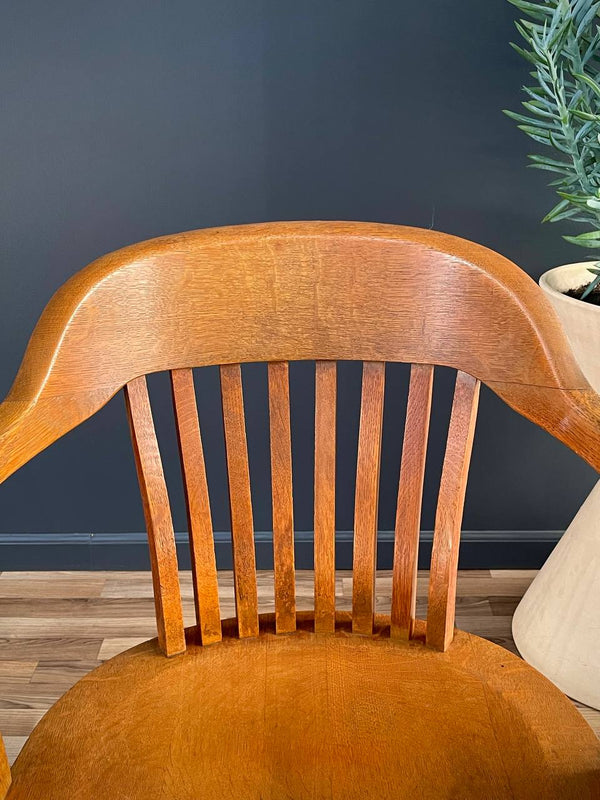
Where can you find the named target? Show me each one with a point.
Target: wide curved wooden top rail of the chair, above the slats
(291, 291)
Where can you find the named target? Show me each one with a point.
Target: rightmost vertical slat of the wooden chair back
(448, 519)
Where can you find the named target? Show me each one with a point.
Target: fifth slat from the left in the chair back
(324, 495)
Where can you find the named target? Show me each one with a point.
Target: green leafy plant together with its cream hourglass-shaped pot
(557, 624)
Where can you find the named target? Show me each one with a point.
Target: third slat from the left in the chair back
(240, 500)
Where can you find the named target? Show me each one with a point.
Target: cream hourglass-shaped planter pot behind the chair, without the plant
(556, 626)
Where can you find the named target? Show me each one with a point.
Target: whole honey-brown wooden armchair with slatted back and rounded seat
(303, 705)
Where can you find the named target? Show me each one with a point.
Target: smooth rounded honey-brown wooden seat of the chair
(305, 716)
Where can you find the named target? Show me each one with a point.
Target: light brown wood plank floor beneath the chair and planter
(56, 627)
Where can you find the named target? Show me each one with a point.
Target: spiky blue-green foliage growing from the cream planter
(562, 45)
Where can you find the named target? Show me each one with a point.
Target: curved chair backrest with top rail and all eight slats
(322, 291)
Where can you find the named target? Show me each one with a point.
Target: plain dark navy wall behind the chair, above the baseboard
(127, 120)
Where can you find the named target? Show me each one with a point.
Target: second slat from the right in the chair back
(410, 494)
